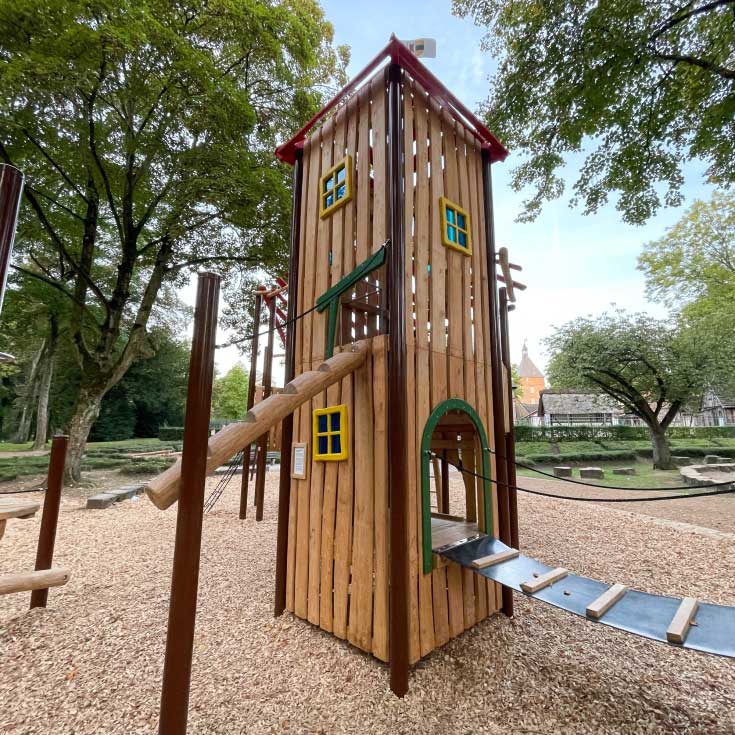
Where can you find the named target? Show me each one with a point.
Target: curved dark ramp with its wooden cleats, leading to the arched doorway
(685, 623)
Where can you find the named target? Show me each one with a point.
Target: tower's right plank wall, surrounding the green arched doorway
(447, 339)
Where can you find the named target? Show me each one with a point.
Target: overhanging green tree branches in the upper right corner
(640, 86)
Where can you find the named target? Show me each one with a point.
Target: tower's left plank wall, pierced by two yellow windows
(337, 563)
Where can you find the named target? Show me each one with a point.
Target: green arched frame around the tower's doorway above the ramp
(452, 404)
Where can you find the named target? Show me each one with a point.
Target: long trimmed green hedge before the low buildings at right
(615, 433)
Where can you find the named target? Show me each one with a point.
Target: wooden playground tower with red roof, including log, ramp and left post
(397, 364)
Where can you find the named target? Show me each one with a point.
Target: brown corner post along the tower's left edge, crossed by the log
(284, 483)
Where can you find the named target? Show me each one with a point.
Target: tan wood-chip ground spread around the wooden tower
(91, 663)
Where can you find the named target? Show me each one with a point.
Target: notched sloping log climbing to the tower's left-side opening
(163, 490)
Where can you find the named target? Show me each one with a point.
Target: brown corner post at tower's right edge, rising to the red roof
(496, 373)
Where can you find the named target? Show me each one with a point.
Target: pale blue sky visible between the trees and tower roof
(573, 264)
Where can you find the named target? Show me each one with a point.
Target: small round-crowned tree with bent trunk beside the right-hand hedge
(653, 368)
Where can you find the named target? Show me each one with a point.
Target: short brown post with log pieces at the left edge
(44, 576)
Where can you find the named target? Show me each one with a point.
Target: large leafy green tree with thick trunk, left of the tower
(146, 130)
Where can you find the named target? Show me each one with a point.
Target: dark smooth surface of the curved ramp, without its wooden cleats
(641, 613)
